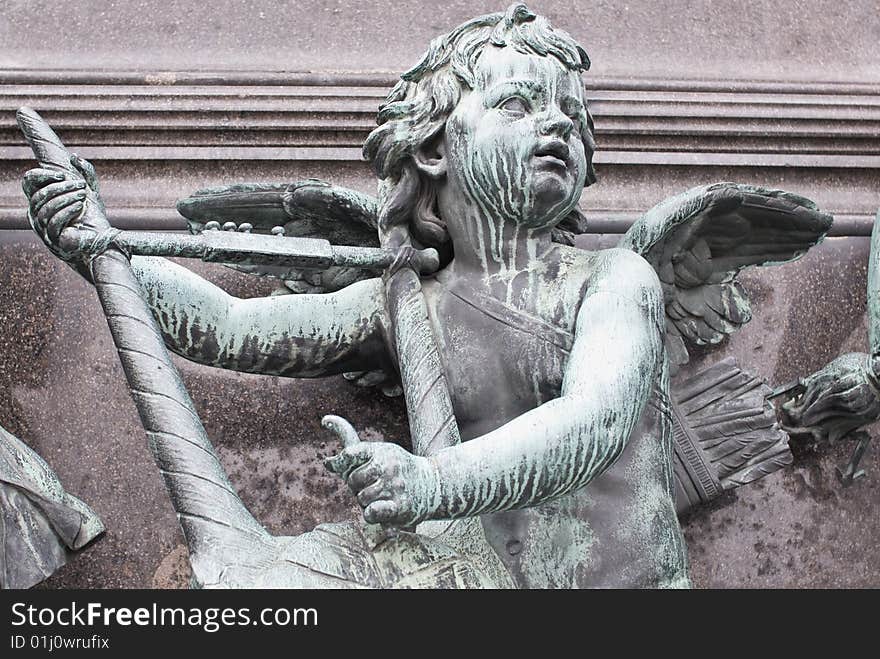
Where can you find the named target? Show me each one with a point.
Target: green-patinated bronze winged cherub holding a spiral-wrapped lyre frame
(550, 445)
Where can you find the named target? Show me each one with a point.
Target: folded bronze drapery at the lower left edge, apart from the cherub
(40, 523)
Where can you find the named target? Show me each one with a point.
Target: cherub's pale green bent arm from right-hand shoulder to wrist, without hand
(565, 443)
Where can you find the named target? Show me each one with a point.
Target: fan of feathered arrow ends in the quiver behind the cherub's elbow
(725, 433)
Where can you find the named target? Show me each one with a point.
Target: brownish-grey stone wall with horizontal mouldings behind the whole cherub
(168, 97)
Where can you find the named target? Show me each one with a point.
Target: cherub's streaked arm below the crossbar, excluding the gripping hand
(289, 335)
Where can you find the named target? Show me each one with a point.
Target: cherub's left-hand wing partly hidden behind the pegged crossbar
(309, 209)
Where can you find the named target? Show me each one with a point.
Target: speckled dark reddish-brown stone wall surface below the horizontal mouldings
(63, 390)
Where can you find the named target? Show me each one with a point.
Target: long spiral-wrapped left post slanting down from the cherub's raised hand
(212, 516)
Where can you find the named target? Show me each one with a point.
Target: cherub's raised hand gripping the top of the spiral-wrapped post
(58, 199)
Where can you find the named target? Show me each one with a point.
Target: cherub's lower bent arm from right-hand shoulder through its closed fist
(551, 450)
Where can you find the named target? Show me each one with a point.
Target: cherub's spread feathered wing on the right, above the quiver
(699, 240)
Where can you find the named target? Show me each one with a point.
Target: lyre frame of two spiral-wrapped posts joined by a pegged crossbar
(165, 407)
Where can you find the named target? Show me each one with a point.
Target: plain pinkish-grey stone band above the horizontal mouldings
(808, 40)
